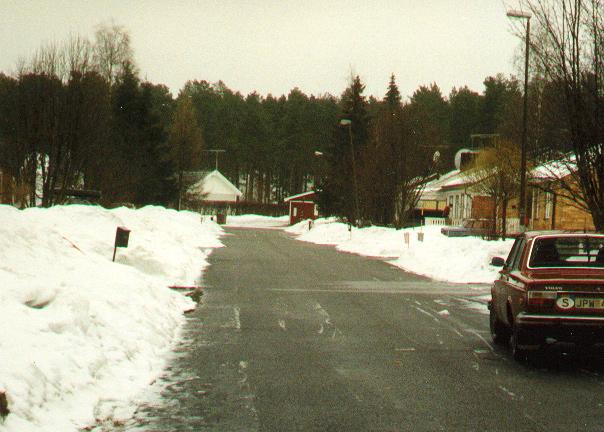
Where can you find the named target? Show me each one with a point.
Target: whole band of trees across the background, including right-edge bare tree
(78, 115)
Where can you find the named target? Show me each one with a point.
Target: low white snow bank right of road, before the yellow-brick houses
(460, 260)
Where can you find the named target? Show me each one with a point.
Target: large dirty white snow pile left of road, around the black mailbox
(81, 335)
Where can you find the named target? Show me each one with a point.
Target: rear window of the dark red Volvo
(575, 251)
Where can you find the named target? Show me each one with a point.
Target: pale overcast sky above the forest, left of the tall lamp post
(272, 46)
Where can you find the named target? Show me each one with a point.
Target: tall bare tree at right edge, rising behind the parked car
(568, 48)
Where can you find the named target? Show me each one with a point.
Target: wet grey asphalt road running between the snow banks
(298, 337)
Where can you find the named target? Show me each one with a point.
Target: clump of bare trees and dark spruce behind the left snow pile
(78, 116)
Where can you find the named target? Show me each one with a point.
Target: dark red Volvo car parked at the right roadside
(551, 289)
